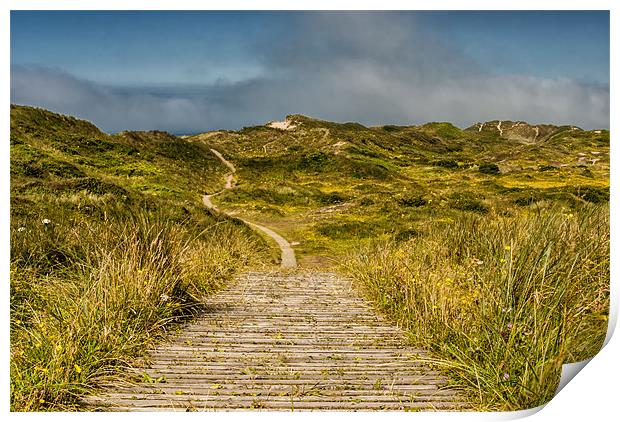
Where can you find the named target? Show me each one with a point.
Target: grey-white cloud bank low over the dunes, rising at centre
(373, 68)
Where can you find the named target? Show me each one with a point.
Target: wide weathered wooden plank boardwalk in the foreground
(278, 341)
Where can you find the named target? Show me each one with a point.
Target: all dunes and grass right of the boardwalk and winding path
(491, 248)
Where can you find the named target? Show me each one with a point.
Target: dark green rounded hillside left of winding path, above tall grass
(60, 153)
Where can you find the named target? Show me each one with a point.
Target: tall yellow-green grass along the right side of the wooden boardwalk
(502, 302)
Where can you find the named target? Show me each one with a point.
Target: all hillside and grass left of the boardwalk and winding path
(109, 246)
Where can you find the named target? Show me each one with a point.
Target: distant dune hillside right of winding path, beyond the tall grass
(329, 185)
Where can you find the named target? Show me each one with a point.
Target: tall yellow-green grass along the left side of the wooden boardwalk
(89, 294)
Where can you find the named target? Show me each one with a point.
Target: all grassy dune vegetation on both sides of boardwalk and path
(491, 247)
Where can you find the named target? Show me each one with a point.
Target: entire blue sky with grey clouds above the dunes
(192, 71)
